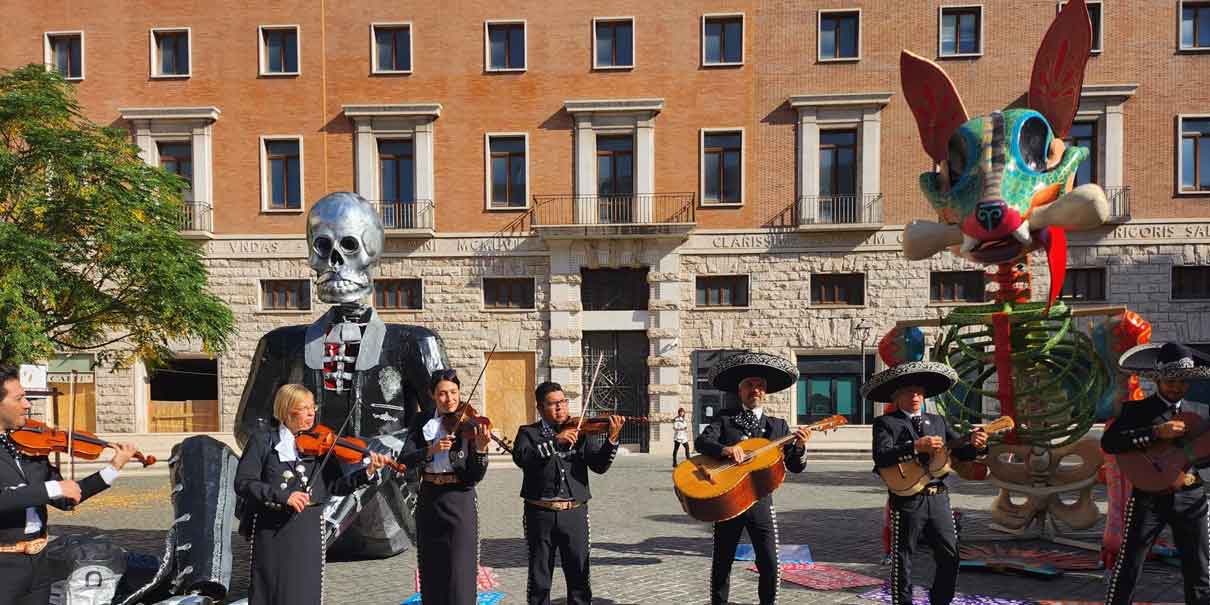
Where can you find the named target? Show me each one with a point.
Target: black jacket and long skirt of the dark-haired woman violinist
(447, 521)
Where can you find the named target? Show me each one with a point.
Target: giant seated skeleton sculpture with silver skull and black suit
(370, 379)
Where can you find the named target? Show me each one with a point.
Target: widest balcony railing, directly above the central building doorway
(614, 210)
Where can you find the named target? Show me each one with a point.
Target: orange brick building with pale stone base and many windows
(656, 182)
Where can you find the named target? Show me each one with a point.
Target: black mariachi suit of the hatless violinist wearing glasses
(554, 474)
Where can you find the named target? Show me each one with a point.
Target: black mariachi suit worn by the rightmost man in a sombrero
(1148, 514)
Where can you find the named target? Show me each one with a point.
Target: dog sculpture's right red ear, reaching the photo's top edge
(1059, 67)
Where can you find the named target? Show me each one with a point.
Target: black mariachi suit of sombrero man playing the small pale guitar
(895, 442)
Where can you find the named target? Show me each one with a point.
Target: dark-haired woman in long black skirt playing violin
(452, 447)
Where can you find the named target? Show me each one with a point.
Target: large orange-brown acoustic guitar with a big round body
(713, 489)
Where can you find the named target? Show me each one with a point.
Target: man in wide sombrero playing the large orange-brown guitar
(752, 377)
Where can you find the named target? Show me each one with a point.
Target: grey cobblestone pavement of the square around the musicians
(646, 550)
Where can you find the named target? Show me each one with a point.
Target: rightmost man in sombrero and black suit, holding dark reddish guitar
(1172, 367)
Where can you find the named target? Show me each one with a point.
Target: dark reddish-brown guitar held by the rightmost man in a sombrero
(1161, 468)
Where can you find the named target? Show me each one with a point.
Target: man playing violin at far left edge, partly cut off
(27, 486)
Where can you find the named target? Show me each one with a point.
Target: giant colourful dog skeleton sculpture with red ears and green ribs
(1002, 189)
